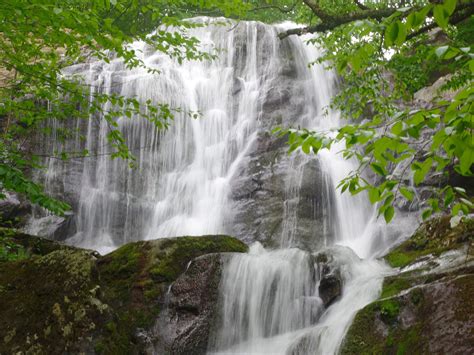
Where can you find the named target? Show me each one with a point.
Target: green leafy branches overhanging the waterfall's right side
(384, 52)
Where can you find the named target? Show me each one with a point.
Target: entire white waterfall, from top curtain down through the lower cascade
(186, 179)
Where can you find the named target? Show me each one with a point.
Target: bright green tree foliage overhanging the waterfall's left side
(38, 38)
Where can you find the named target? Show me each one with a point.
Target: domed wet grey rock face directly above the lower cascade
(272, 188)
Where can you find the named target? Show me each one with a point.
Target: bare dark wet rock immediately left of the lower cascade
(192, 306)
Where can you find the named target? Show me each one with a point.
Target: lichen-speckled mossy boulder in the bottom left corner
(48, 300)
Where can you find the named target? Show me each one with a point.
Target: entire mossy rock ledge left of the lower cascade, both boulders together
(56, 299)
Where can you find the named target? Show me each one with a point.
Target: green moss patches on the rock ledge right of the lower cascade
(376, 328)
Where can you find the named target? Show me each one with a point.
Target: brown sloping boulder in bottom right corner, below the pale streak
(436, 318)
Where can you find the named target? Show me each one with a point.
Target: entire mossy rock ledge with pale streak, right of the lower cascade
(428, 307)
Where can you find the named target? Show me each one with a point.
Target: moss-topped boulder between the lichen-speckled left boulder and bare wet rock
(136, 278)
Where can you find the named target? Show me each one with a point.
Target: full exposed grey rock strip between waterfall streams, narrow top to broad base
(260, 190)
